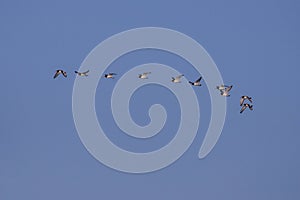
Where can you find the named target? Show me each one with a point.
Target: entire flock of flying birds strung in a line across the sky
(224, 89)
